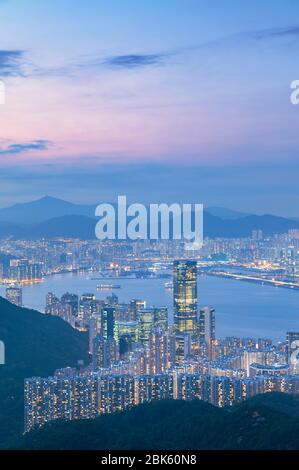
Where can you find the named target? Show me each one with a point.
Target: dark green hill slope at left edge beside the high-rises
(35, 345)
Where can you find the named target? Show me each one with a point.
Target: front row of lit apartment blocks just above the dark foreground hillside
(70, 396)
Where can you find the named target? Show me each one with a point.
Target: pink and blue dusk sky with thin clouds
(161, 100)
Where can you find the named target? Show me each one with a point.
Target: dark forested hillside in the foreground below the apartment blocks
(269, 422)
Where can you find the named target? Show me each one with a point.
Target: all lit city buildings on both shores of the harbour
(139, 352)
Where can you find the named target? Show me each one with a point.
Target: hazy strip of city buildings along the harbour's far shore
(29, 260)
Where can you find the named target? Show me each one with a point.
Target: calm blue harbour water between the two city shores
(242, 309)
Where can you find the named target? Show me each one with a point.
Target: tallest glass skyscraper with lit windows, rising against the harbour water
(185, 296)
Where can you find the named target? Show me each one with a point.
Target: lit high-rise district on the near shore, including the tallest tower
(139, 354)
